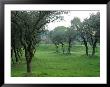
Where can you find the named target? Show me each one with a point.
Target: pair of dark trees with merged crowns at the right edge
(89, 30)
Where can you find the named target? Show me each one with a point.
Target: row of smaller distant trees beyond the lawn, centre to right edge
(87, 32)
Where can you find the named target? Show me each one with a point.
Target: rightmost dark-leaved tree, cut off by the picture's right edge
(93, 30)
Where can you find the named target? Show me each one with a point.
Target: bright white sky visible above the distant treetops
(68, 17)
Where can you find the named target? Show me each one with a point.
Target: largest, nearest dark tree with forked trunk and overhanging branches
(30, 24)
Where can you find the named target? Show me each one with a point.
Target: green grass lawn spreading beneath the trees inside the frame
(47, 63)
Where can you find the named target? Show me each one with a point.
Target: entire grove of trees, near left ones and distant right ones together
(27, 27)
